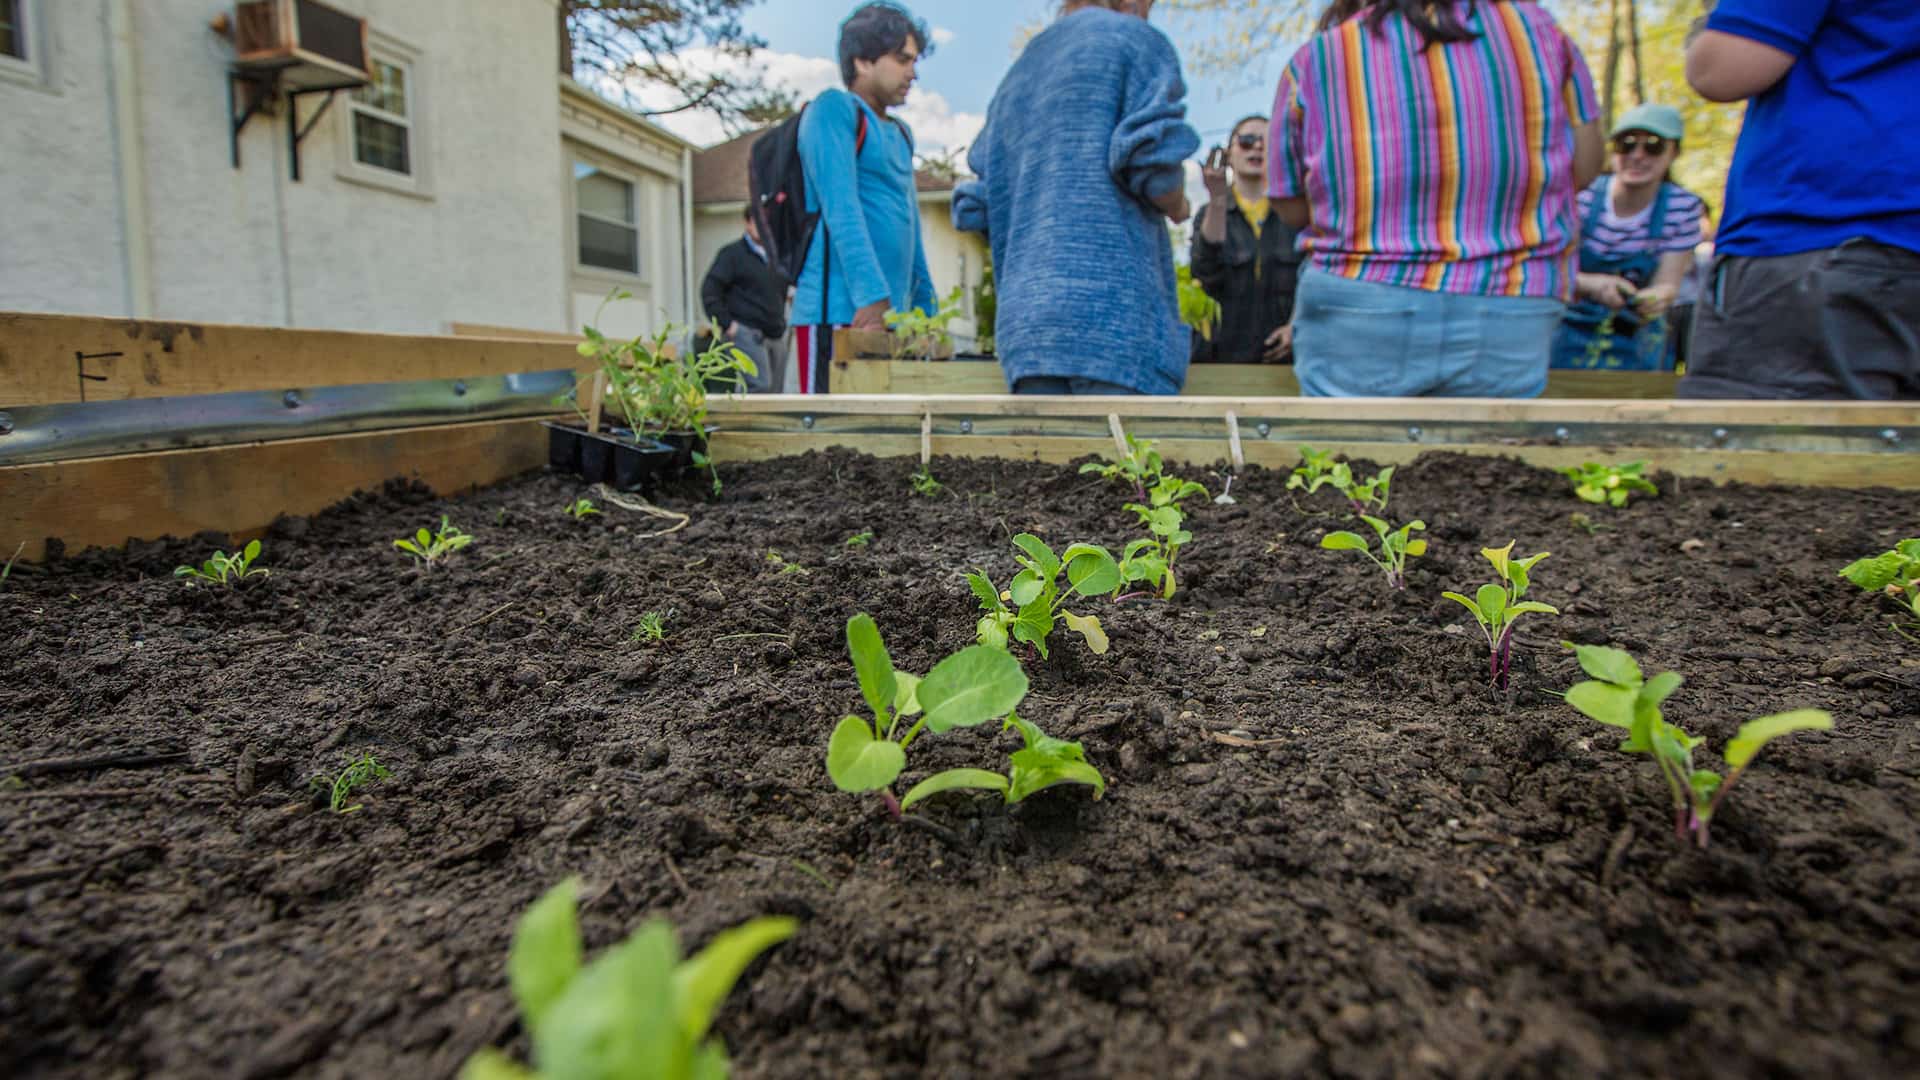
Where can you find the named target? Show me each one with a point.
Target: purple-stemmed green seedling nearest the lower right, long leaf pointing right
(1618, 697)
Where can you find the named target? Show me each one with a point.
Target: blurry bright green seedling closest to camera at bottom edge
(636, 1014)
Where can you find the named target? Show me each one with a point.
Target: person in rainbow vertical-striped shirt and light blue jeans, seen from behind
(1431, 157)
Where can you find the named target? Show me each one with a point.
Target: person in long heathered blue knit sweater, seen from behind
(1080, 172)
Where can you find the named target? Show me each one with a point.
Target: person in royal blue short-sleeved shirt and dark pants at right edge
(1815, 289)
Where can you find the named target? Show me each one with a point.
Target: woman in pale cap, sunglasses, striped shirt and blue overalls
(1637, 249)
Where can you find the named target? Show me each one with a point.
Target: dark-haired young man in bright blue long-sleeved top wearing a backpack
(867, 255)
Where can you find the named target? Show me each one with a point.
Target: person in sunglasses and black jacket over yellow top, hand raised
(1243, 257)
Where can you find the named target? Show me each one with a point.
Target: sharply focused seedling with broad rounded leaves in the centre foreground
(969, 689)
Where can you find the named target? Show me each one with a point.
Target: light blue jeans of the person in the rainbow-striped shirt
(1356, 339)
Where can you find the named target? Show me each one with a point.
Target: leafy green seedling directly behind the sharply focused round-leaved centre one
(1038, 601)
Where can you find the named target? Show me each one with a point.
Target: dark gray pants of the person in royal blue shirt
(1833, 324)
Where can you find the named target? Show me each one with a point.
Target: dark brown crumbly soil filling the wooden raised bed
(1328, 850)
